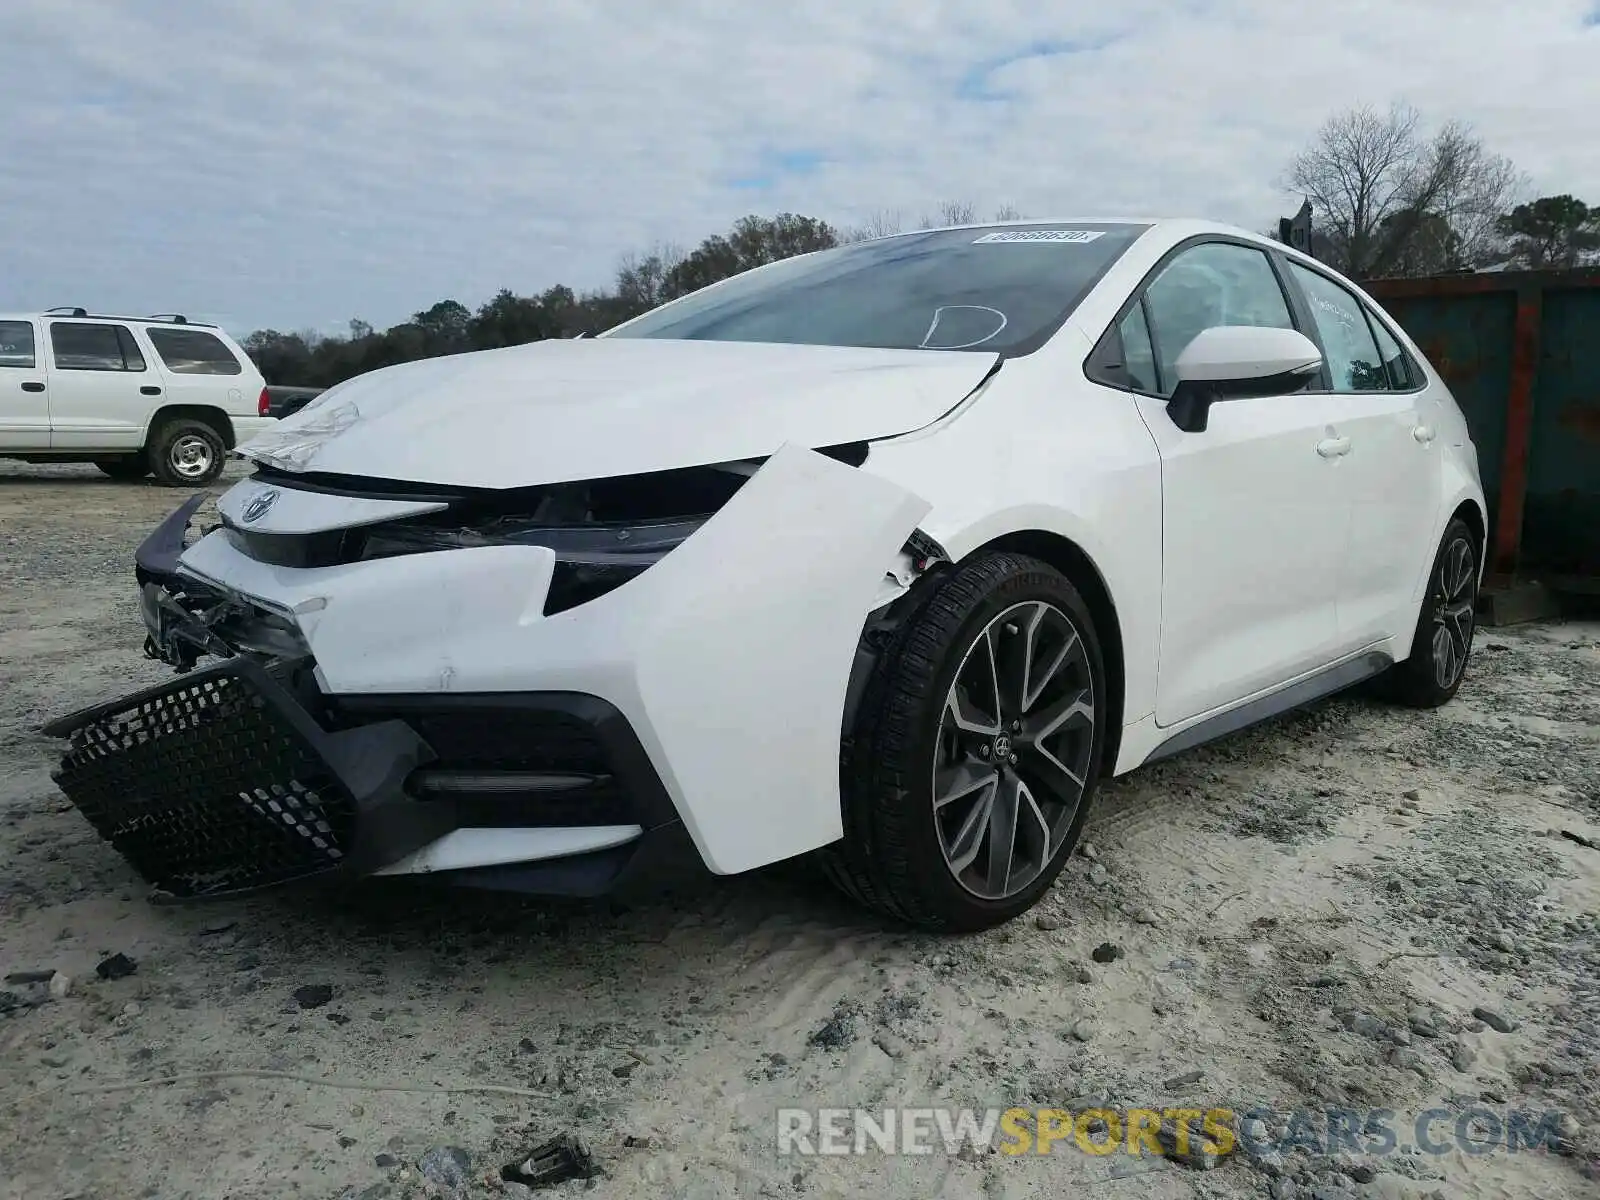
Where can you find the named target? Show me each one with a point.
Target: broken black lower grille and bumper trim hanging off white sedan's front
(225, 783)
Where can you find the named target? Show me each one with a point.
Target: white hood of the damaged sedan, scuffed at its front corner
(593, 409)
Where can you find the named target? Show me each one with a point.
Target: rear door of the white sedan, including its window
(1394, 465)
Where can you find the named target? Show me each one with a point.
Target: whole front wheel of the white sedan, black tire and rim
(972, 766)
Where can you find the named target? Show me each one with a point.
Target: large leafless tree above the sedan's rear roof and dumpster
(1391, 199)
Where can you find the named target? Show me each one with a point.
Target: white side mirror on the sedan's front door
(1233, 362)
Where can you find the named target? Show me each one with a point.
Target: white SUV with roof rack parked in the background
(135, 396)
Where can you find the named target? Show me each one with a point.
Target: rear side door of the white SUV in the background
(100, 386)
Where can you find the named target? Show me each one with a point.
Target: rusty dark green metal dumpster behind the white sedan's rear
(1521, 351)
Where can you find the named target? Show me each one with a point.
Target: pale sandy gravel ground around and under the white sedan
(1354, 908)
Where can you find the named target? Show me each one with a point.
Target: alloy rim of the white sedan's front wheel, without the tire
(1014, 750)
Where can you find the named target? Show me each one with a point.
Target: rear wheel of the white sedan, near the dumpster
(1446, 626)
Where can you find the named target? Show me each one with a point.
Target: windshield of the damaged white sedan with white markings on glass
(1001, 290)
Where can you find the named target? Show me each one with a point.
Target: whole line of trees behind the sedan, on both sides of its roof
(1388, 198)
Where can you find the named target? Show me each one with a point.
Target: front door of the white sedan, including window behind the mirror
(1255, 508)
